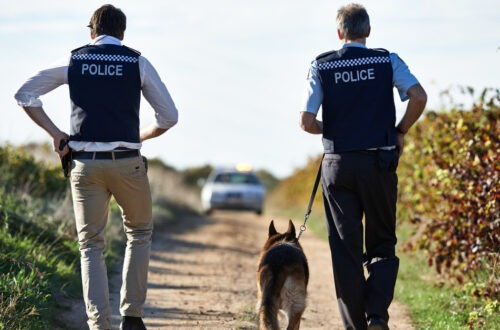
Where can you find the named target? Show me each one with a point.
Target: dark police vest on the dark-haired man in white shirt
(105, 91)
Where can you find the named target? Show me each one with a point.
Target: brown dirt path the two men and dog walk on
(202, 276)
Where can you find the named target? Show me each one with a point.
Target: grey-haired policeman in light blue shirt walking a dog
(362, 145)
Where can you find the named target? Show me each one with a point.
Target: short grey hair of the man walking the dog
(353, 21)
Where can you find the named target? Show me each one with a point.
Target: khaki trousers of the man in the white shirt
(93, 182)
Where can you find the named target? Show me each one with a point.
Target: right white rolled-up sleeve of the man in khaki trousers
(157, 95)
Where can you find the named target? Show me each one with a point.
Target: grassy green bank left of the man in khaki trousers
(37, 256)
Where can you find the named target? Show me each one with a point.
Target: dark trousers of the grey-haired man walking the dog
(357, 184)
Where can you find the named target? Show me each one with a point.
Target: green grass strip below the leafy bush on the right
(437, 303)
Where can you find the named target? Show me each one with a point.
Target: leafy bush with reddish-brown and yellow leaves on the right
(449, 188)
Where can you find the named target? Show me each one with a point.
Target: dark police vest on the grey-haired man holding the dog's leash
(358, 102)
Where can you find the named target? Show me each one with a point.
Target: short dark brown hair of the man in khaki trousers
(108, 20)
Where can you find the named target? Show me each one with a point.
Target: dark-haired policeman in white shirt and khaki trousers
(105, 81)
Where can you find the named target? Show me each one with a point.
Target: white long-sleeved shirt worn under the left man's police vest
(153, 90)
